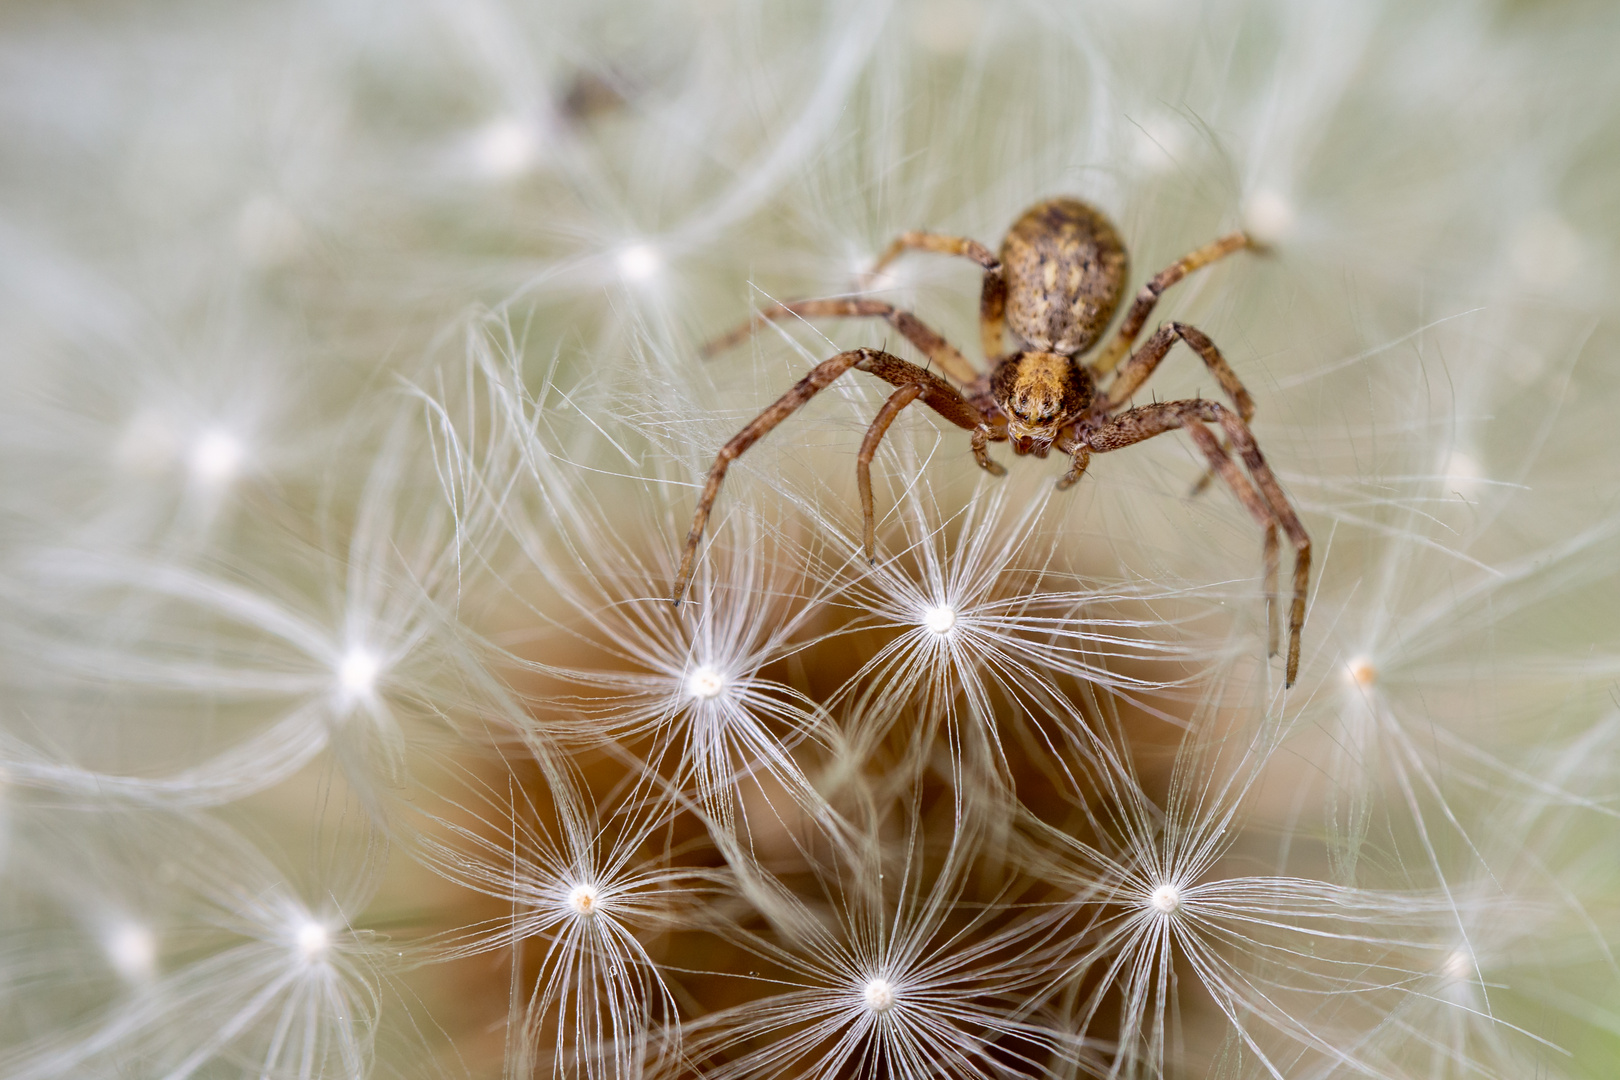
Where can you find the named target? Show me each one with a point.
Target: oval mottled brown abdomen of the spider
(1065, 270)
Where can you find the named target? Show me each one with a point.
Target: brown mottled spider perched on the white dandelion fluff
(1057, 286)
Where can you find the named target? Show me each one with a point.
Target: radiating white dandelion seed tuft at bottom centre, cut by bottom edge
(863, 953)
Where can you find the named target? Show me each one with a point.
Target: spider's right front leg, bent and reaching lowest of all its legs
(1263, 498)
